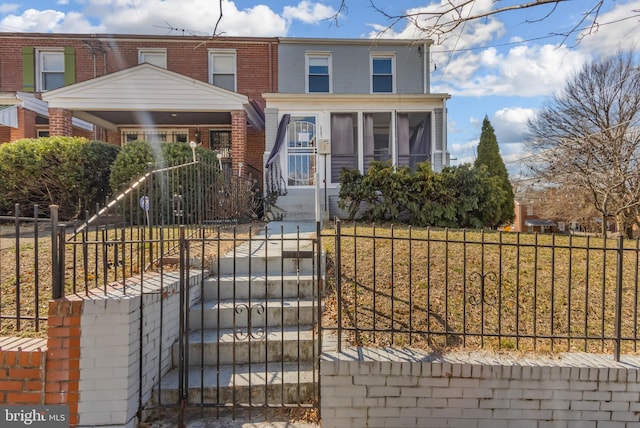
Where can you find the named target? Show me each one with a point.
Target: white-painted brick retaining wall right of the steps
(403, 388)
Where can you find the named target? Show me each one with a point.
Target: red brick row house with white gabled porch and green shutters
(119, 88)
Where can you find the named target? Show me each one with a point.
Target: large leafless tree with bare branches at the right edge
(589, 137)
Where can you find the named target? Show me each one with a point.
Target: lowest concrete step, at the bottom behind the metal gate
(257, 384)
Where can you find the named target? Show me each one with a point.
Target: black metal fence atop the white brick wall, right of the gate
(443, 289)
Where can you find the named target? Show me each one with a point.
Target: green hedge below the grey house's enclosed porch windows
(459, 196)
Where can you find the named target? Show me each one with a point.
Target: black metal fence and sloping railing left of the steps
(44, 258)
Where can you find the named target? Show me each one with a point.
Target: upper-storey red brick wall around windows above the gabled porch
(256, 57)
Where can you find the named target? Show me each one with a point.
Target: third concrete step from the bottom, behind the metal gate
(211, 314)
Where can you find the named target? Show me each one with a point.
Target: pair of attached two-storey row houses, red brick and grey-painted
(298, 109)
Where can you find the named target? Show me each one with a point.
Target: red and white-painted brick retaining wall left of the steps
(90, 361)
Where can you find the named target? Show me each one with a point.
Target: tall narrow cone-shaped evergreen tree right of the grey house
(489, 158)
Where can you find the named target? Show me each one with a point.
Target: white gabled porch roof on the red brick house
(146, 95)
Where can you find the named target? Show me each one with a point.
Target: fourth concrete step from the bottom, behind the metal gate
(259, 286)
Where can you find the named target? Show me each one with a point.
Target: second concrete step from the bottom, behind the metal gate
(215, 347)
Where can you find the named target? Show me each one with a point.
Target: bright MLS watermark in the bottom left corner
(34, 416)
